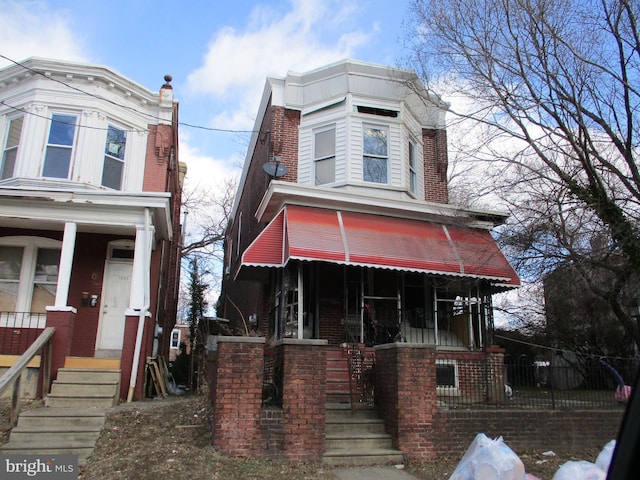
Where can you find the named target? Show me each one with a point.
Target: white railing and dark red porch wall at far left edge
(18, 330)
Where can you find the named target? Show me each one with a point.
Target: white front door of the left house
(115, 300)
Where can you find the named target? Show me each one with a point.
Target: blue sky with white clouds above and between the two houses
(219, 53)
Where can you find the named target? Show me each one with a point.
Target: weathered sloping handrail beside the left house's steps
(14, 374)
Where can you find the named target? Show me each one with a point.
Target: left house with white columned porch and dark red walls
(90, 192)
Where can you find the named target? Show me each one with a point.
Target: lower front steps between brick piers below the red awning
(357, 438)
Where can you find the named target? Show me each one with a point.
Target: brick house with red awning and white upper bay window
(342, 234)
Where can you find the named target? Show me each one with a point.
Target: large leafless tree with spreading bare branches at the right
(553, 87)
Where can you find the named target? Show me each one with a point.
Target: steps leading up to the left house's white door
(72, 418)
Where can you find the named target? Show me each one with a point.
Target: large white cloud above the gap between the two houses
(311, 34)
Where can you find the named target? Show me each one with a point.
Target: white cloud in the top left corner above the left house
(32, 29)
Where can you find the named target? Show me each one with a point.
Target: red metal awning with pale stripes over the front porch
(315, 234)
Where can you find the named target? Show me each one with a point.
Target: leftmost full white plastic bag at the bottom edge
(487, 459)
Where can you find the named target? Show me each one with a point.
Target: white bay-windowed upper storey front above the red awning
(362, 128)
